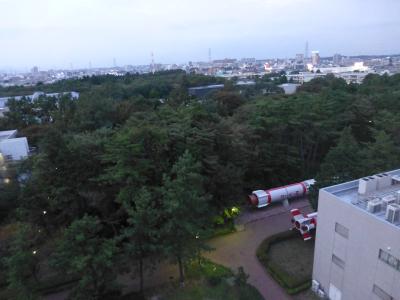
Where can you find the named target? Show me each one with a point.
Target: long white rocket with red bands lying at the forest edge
(261, 198)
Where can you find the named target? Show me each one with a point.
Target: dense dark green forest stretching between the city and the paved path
(138, 168)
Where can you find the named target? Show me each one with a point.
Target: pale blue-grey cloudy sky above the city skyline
(65, 33)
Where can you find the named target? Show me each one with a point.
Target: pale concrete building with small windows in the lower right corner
(357, 250)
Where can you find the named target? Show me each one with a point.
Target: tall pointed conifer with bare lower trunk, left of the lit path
(185, 205)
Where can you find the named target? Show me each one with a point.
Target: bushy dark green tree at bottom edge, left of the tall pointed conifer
(82, 250)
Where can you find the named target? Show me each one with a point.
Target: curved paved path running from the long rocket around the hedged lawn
(239, 249)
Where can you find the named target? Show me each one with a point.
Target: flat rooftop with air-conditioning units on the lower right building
(377, 195)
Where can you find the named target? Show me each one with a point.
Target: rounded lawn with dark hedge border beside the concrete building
(289, 260)
